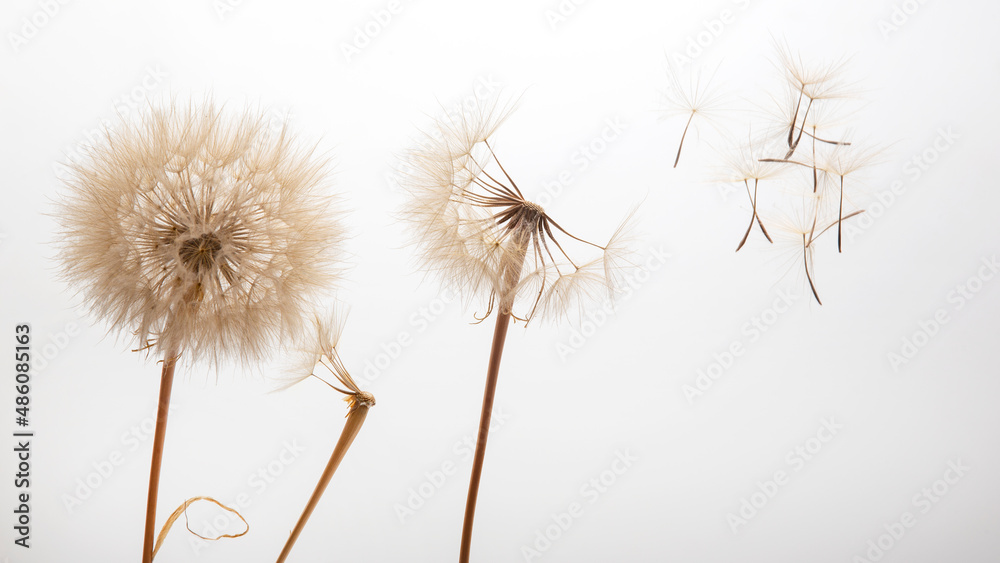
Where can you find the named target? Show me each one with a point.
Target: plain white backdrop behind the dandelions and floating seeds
(567, 416)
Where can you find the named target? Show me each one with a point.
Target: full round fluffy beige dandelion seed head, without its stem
(199, 233)
